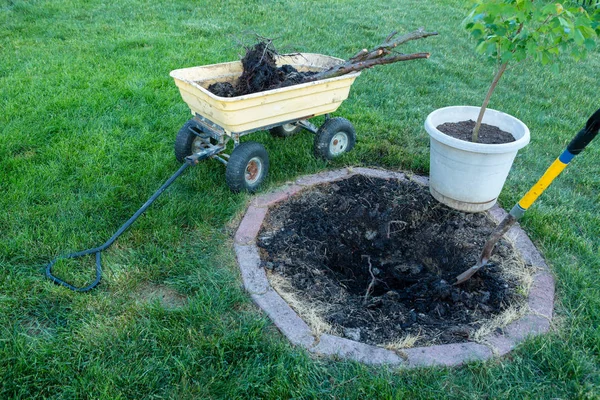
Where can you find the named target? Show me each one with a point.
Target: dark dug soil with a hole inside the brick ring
(379, 257)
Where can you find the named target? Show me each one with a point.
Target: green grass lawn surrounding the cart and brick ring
(88, 119)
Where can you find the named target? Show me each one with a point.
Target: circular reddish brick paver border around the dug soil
(536, 321)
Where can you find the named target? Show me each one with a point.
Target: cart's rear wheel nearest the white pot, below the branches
(335, 137)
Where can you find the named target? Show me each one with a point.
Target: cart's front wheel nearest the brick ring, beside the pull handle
(247, 167)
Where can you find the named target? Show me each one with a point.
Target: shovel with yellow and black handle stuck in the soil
(582, 139)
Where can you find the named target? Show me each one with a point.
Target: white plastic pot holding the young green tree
(469, 176)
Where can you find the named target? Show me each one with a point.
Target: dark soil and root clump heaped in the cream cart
(260, 73)
